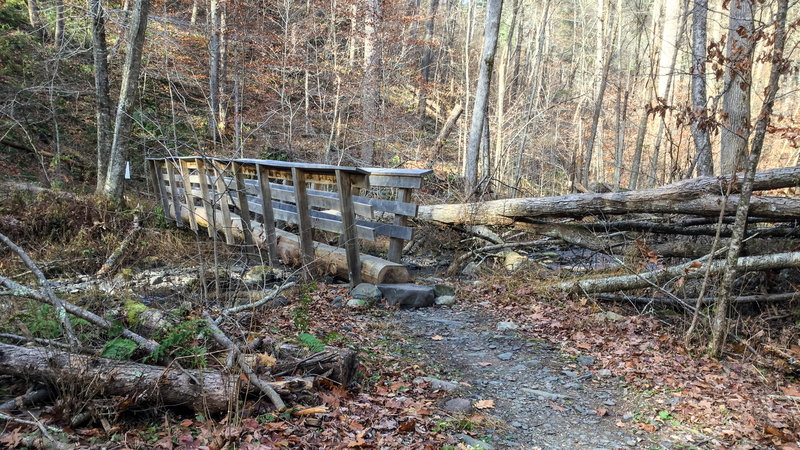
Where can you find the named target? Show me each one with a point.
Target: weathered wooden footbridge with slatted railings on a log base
(244, 199)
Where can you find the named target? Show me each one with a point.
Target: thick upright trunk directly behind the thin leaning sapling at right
(738, 78)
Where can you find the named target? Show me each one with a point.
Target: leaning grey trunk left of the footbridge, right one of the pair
(128, 89)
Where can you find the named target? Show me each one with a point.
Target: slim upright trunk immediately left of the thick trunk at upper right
(700, 122)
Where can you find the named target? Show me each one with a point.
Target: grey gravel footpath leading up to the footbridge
(541, 398)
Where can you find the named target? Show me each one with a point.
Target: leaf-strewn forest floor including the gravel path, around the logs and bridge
(505, 366)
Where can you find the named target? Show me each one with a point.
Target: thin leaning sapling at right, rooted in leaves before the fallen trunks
(719, 324)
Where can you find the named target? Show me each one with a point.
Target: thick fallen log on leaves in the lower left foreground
(144, 384)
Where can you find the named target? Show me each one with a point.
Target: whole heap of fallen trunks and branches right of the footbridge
(657, 223)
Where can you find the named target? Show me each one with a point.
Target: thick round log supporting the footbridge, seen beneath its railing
(332, 259)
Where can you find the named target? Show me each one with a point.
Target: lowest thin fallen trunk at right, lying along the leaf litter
(690, 270)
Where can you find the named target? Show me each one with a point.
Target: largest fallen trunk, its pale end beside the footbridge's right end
(698, 196)
